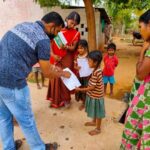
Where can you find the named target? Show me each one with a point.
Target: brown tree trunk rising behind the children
(90, 15)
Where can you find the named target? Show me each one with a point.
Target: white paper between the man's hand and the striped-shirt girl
(72, 82)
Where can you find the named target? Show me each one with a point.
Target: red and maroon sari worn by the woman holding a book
(57, 92)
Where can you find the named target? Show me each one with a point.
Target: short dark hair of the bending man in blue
(53, 17)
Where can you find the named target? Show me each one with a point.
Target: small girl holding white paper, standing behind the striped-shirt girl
(82, 54)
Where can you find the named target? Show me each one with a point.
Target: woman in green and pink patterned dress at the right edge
(136, 135)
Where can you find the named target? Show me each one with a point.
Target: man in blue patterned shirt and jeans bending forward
(20, 48)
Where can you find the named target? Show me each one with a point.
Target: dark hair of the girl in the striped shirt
(96, 56)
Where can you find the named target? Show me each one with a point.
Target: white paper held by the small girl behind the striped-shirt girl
(85, 69)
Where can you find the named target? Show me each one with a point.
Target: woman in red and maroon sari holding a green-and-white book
(63, 56)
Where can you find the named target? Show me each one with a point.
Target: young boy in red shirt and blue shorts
(110, 63)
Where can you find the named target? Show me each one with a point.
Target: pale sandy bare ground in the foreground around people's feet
(67, 126)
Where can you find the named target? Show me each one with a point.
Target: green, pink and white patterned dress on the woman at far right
(136, 135)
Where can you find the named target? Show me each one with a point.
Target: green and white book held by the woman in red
(60, 40)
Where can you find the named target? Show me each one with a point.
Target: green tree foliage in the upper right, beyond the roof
(125, 13)
